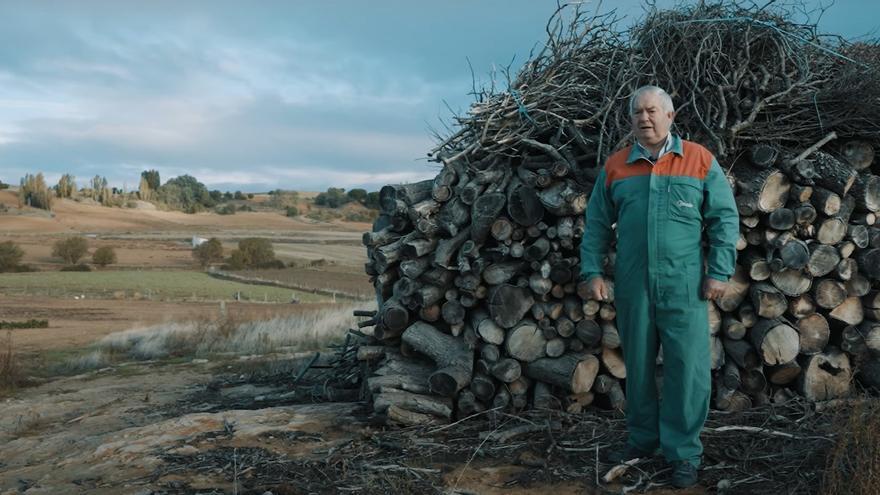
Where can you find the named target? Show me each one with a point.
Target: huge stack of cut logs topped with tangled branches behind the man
(477, 270)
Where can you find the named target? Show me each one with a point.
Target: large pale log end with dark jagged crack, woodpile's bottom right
(825, 376)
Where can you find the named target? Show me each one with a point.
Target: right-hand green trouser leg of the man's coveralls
(684, 334)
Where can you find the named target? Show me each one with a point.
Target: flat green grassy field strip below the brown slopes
(153, 285)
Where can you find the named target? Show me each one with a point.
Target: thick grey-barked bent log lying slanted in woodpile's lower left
(453, 358)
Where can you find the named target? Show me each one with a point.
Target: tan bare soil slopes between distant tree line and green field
(155, 239)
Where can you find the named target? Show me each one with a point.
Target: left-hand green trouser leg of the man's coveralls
(638, 338)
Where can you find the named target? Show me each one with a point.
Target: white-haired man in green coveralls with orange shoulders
(662, 192)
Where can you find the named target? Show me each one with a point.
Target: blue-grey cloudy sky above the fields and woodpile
(258, 95)
